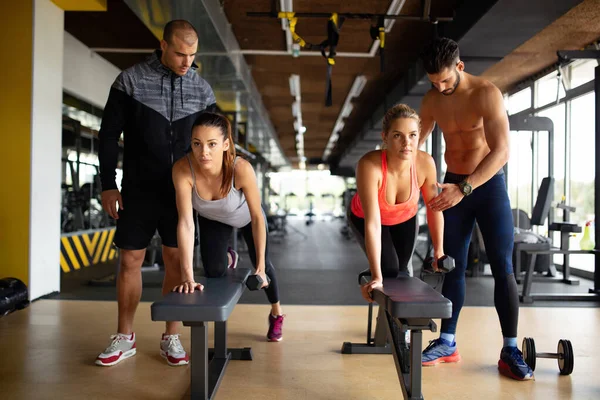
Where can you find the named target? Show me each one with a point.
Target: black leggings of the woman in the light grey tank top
(214, 240)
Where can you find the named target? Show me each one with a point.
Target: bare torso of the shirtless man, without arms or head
(458, 118)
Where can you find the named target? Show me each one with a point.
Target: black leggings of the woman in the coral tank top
(397, 244)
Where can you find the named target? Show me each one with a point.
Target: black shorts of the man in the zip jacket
(144, 213)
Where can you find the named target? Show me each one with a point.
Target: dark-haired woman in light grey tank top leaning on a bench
(222, 188)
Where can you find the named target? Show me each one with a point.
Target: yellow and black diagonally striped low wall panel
(87, 248)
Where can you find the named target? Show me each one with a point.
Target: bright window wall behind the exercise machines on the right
(573, 152)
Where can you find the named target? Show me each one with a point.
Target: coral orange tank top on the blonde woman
(392, 214)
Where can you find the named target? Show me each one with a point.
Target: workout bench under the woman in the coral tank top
(405, 303)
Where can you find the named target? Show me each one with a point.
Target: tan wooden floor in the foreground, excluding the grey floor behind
(47, 352)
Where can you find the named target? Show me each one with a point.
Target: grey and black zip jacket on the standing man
(155, 109)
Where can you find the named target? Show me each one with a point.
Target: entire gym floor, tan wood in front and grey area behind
(48, 349)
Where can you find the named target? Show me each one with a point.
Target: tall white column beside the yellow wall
(46, 149)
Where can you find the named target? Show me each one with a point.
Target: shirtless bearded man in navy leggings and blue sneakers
(470, 112)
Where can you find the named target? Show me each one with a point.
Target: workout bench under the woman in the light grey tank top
(213, 304)
